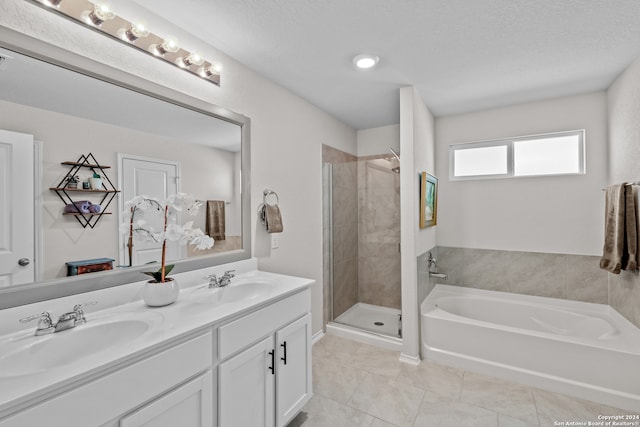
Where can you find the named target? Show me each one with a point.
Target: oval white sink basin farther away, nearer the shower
(240, 290)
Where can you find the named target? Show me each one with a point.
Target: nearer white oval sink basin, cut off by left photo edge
(29, 355)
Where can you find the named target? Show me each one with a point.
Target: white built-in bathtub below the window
(585, 350)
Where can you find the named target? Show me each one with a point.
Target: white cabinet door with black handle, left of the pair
(246, 387)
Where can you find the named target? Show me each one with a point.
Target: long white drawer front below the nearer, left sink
(115, 394)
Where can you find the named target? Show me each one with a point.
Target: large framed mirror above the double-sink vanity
(74, 106)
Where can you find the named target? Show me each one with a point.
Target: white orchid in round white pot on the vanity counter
(162, 290)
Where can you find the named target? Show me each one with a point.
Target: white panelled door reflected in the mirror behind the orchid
(141, 176)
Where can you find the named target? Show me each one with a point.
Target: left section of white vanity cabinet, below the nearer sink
(175, 383)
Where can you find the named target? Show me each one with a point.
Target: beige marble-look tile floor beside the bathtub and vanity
(357, 385)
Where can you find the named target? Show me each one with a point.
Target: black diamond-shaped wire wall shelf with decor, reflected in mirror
(86, 212)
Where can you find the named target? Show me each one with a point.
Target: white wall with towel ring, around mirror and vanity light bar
(287, 132)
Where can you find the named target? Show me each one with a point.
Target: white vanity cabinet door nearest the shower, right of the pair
(293, 379)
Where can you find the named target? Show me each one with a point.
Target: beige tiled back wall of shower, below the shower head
(379, 232)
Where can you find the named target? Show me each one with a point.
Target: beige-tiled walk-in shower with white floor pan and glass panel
(362, 245)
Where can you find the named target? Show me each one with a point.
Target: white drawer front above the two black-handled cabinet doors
(240, 333)
